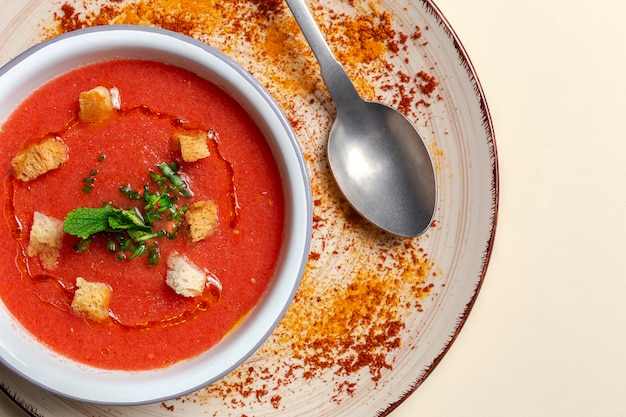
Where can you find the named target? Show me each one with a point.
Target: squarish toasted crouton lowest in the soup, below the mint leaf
(91, 299)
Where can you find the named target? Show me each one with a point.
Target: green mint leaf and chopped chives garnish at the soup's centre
(133, 232)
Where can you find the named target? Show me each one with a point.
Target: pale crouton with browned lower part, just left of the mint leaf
(46, 239)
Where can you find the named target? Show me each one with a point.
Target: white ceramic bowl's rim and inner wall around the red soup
(20, 351)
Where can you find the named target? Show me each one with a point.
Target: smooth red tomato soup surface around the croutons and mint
(113, 163)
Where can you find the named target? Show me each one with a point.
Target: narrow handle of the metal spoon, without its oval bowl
(334, 75)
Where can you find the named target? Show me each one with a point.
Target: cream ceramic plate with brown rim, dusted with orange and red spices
(375, 313)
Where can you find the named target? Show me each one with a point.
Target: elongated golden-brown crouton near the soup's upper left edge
(40, 158)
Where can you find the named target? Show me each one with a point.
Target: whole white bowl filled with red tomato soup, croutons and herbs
(157, 215)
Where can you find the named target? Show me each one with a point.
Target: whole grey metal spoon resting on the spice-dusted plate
(377, 157)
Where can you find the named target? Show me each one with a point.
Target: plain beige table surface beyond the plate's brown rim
(547, 336)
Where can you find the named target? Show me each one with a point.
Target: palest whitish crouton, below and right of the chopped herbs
(184, 277)
